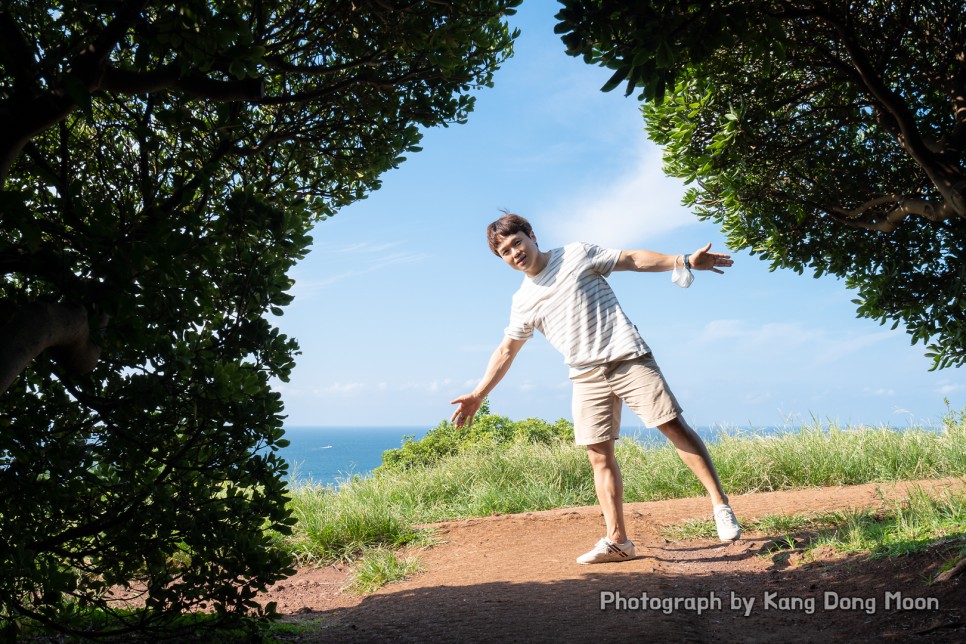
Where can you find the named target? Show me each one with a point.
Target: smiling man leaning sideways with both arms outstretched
(565, 296)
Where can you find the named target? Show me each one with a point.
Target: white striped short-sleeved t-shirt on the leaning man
(572, 304)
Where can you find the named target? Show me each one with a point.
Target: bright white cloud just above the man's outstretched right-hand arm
(630, 210)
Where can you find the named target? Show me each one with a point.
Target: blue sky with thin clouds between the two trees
(400, 303)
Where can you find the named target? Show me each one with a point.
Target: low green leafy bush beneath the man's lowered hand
(487, 430)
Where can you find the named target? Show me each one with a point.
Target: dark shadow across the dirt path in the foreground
(842, 599)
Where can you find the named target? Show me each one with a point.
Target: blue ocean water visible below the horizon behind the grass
(329, 455)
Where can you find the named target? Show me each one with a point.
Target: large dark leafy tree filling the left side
(161, 165)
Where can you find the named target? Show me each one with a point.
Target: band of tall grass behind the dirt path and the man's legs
(483, 480)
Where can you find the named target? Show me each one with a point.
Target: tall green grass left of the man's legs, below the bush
(340, 524)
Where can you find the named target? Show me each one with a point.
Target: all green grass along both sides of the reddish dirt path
(368, 520)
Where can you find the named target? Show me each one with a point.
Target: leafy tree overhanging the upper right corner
(821, 134)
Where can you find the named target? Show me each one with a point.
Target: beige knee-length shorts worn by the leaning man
(598, 394)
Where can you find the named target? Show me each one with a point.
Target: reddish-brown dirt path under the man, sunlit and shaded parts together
(513, 578)
